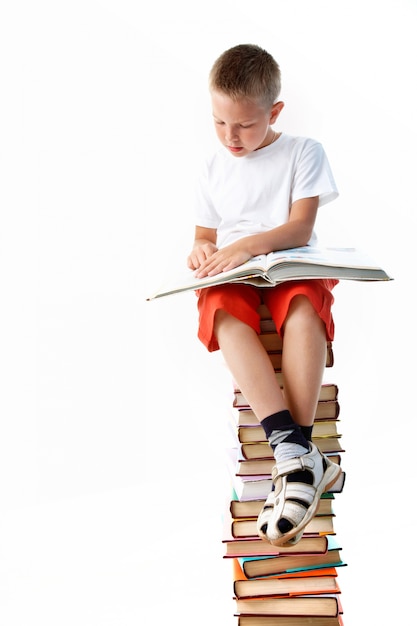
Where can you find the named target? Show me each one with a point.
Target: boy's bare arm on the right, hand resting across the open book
(293, 234)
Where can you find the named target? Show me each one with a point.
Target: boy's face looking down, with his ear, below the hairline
(242, 126)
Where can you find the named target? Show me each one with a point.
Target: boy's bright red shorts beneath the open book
(242, 301)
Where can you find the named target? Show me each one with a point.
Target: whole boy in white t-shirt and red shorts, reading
(260, 192)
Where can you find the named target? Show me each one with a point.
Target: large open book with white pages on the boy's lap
(267, 270)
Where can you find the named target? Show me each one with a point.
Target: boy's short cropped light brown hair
(248, 72)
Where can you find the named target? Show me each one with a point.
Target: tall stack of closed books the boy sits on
(281, 586)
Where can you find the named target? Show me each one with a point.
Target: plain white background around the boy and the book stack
(112, 483)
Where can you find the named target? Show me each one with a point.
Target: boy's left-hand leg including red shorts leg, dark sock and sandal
(301, 474)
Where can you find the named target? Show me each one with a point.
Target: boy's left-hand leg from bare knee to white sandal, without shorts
(252, 369)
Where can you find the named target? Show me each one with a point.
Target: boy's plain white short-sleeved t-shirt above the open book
(253, 194)
